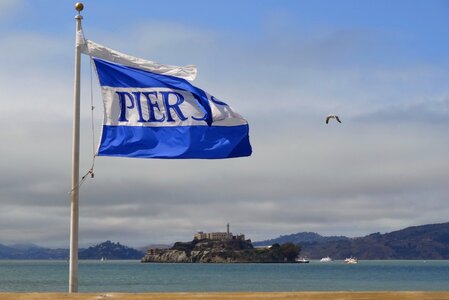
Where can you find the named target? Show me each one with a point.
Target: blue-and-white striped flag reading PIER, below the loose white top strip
(151, 115)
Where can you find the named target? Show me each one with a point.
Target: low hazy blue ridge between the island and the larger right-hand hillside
(300, 238)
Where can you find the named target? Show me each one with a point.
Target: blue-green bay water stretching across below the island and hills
(133, 276)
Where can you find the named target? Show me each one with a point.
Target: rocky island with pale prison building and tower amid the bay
(222, 247)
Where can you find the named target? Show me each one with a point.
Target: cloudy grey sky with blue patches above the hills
(382, 66)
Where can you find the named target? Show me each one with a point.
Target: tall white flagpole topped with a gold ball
(74, 207)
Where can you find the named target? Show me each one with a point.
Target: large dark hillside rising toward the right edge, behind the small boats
(417, 242)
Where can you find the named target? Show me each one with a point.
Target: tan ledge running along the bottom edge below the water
(226, 296)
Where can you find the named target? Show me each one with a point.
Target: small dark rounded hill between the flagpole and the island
(110, 250)
